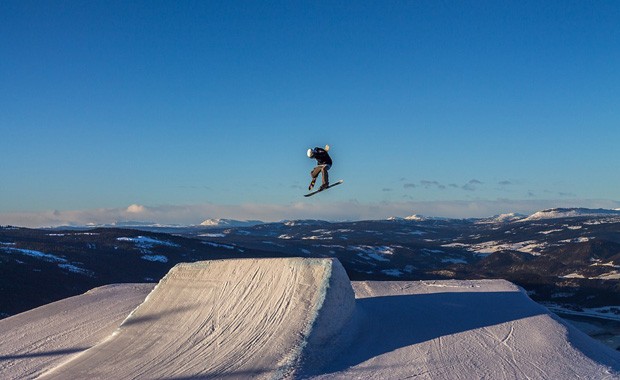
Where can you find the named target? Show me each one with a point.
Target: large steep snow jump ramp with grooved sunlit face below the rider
(237, 318)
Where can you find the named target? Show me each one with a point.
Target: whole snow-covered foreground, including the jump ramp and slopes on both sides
(301, 318)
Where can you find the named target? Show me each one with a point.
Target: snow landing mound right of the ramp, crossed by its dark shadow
(453, 330)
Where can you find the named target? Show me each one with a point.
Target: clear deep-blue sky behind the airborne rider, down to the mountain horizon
(194, 110)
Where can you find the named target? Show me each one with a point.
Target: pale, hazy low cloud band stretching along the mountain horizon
(350, 210)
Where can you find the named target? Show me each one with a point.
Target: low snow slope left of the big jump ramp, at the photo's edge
(43, 338)
